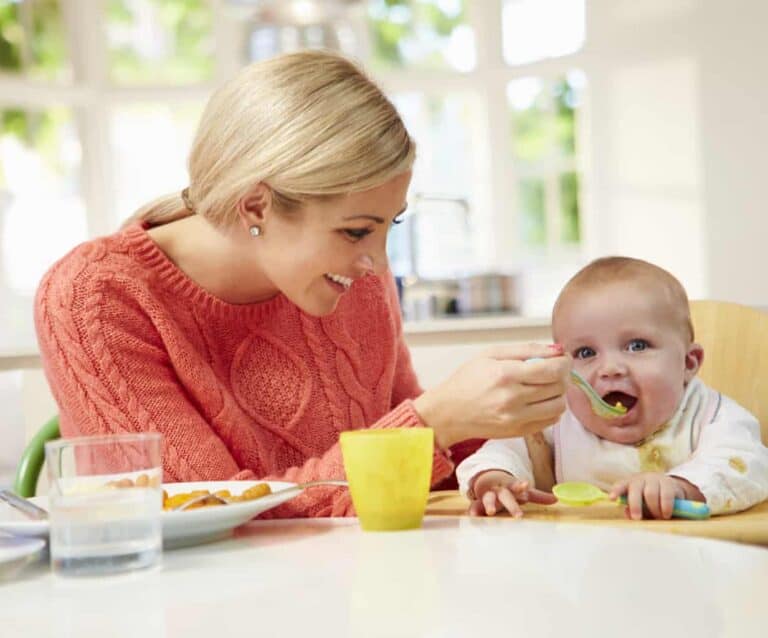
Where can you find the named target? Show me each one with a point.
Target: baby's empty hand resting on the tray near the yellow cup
(496, 490)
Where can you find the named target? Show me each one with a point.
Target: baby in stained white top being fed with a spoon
(627, 325)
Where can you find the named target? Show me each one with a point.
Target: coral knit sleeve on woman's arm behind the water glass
(110, 372)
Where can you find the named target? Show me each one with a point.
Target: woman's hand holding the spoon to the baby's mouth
(498, 395)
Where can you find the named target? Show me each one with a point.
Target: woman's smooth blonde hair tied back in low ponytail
(309, 125)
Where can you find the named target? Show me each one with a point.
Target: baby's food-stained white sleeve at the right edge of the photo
(730, 463)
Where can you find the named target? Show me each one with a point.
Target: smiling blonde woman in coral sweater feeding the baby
(252, 317)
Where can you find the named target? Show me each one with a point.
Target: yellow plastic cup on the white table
(389, 472)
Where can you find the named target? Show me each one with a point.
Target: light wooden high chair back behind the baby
(735, 342)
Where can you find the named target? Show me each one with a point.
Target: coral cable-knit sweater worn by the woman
(131, 344)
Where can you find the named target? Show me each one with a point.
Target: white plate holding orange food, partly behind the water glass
(179, 528)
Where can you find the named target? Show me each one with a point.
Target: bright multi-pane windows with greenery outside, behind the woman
(87, 88)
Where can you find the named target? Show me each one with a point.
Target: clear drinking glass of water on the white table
(105, 502)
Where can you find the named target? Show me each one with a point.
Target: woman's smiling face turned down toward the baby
(314, 255)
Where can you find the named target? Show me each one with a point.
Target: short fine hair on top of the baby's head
(611, 270)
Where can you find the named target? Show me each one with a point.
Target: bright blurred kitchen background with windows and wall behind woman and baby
(549, 132)
